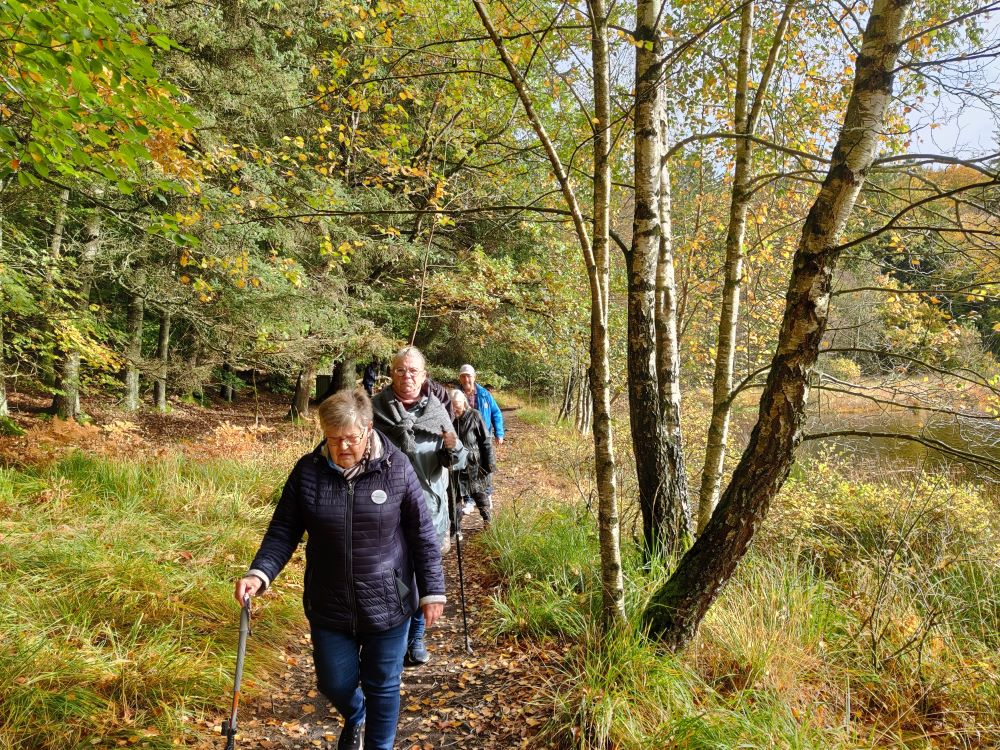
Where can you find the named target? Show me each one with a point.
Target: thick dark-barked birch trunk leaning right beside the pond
(675, 611)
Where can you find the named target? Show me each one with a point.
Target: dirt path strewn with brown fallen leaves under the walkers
(486, 700)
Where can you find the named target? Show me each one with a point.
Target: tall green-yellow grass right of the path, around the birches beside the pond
(866, 615)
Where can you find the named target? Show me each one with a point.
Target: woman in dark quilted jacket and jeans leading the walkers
(372, 560)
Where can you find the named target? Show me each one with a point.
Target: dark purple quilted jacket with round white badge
(371, 544)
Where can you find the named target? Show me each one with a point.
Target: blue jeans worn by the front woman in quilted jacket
(360, 674)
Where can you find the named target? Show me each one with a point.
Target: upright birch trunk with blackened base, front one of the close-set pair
(659, 463)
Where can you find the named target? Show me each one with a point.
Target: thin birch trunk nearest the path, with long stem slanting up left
(596, 258)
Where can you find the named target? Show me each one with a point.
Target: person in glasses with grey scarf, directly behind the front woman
(416, 421)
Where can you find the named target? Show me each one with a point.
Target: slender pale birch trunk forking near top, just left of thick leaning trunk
(745, 123)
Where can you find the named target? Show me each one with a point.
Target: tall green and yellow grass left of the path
(116, 617)
